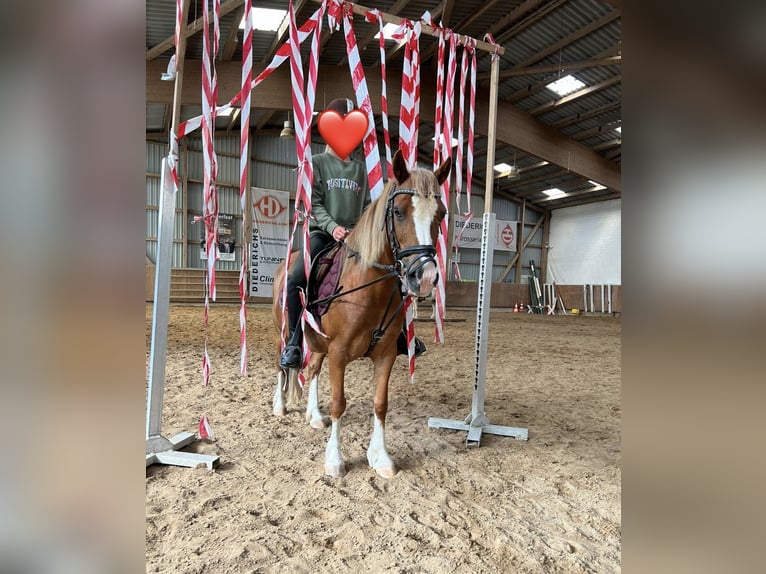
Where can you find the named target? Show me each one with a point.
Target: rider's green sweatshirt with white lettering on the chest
(340, 193)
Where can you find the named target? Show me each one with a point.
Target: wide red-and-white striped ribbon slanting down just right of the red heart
(362, 94)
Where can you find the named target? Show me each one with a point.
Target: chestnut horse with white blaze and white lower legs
(389, 255)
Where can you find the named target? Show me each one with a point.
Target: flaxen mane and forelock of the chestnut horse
(369, 235)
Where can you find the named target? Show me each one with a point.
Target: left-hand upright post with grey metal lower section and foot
(161, 450)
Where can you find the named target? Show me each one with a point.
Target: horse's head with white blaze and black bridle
(414, 211)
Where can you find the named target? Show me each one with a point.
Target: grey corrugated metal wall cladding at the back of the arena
(273, 167)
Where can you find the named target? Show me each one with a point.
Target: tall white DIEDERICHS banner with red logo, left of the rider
(270, 234)
